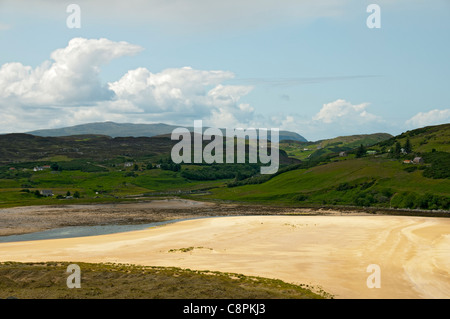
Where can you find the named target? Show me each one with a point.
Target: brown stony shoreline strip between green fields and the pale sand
(30, 219)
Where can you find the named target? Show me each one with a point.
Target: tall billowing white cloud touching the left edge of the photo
(70, 77)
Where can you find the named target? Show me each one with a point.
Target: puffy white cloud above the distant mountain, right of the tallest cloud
(184, 93)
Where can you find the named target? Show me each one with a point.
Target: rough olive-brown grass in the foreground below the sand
(119, 281)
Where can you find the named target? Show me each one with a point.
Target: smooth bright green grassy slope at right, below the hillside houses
(320, 183)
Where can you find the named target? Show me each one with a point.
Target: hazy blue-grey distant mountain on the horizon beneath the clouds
(131, 130)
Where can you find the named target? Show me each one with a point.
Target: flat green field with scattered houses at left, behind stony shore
(113, 185)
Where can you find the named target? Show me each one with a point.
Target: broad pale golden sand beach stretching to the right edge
(331, 252)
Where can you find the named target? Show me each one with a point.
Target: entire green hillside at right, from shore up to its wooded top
(380, 180)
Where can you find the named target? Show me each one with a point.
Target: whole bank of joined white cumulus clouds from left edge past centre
(67, 89)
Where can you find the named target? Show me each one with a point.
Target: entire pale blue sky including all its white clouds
(313, 67)
